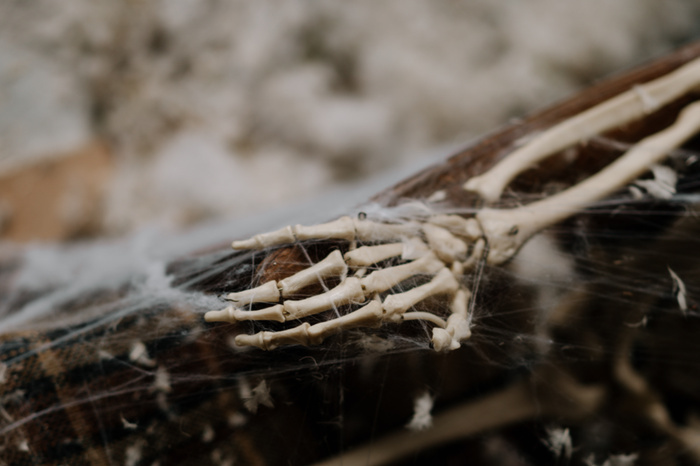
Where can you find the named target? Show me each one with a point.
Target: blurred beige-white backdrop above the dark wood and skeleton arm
(214, 109)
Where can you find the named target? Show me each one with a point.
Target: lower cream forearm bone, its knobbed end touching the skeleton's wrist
(507, 230)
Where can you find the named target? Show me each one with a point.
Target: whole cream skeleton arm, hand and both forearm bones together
(447, 246)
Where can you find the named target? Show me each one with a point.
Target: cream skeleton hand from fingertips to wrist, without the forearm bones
(423, 249)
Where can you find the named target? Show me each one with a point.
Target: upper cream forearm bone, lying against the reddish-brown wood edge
(614, 112)
